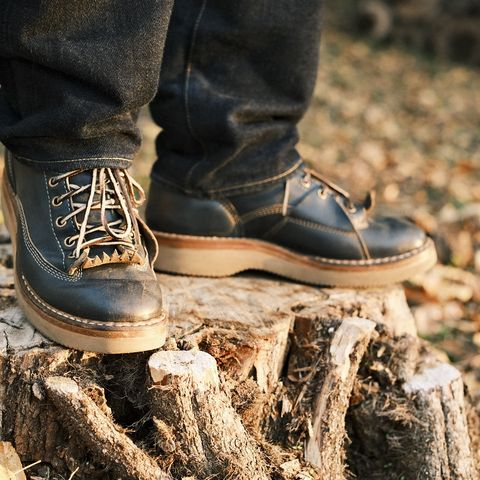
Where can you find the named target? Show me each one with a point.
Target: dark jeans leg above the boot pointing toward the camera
(73, 74)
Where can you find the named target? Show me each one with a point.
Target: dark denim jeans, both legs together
(237, 75)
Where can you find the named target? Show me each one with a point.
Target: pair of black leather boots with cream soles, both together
(84, 259)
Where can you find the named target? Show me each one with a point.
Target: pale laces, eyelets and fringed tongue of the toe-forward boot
(110, 190)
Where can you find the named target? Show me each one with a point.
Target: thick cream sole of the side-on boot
(220, 257)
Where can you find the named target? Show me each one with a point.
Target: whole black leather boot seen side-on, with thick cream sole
(304, 228)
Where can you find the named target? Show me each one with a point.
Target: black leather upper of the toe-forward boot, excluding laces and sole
(107, 293)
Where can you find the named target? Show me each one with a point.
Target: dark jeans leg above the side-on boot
(237, 77)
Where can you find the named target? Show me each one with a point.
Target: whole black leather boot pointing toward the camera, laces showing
(83, 258)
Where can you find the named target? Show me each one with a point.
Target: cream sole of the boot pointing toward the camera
(111, 341)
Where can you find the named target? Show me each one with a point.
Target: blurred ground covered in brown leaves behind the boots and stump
(408, 127)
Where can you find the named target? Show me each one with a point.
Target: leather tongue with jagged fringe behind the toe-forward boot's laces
(121, 250)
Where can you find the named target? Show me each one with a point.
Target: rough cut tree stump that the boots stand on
(260, 379)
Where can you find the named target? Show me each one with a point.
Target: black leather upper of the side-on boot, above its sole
(303, 213)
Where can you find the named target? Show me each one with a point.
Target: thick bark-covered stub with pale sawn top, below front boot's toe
(185, 392)
